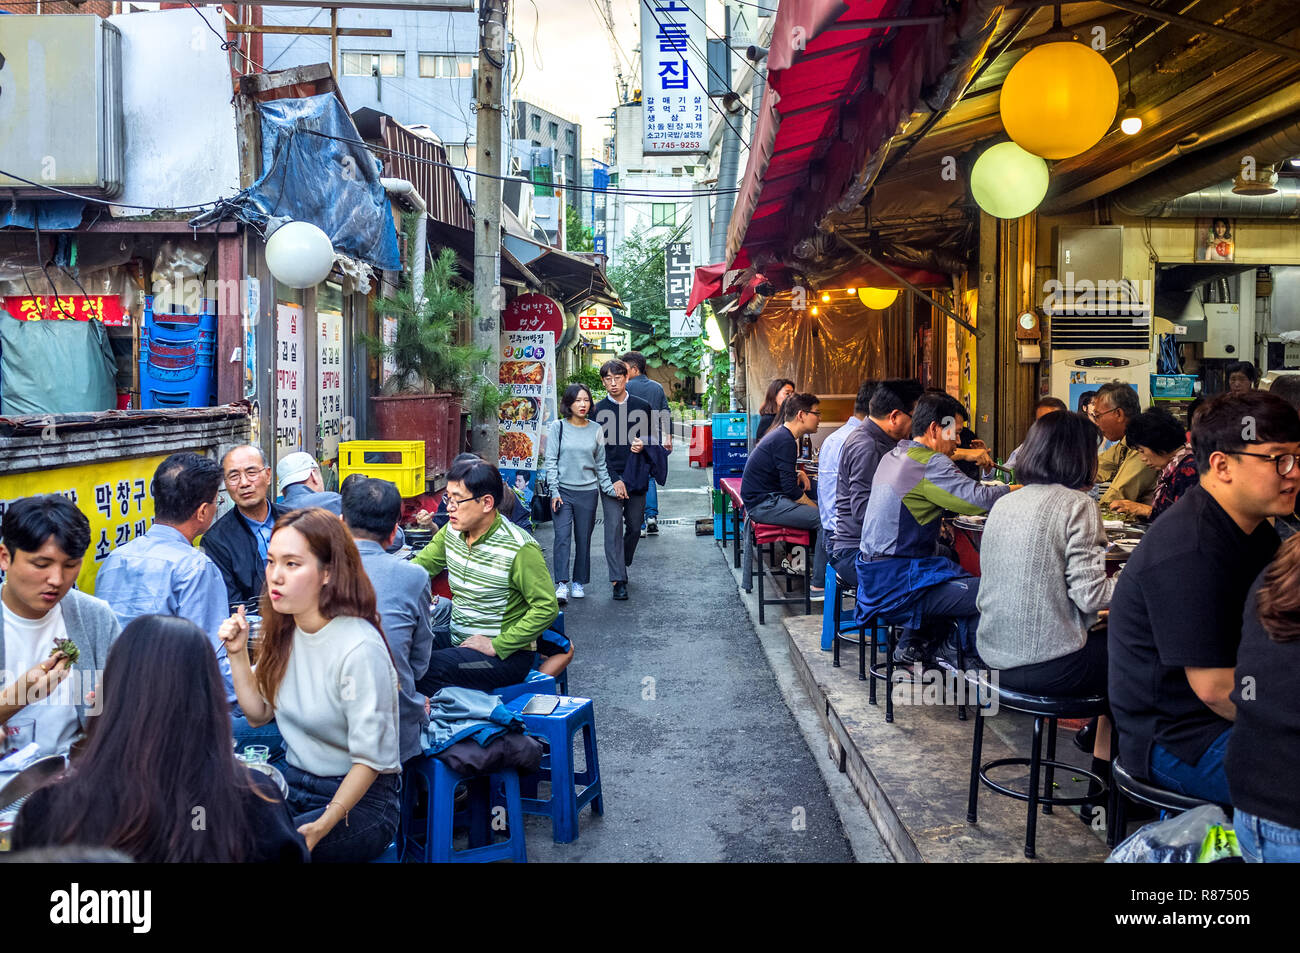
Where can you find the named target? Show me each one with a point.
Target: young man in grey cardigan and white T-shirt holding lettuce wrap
(45, 540)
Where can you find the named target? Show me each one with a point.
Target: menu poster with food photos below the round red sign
(528, 374)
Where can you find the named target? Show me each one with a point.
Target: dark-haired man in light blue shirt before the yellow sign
(162, 573)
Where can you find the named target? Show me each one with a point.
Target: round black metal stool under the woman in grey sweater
(1043, 709)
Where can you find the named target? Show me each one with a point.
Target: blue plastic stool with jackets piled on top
(436, 843)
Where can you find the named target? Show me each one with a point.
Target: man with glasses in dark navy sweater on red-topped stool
(774, 491)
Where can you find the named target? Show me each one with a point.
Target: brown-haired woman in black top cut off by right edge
(1263, 763)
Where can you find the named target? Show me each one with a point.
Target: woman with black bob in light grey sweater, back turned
(1043, 571)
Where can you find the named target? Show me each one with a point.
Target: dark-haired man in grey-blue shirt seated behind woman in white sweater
(371, 512)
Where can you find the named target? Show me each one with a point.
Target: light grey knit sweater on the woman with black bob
(1043, 575)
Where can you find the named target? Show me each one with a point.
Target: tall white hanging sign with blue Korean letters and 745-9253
(674, 77)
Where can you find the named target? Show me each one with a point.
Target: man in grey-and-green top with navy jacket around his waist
(900, 577)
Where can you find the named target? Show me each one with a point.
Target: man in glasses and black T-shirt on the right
(1176, 620)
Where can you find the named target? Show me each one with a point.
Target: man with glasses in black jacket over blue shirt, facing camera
(239, 542)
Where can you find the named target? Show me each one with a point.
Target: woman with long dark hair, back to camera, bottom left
(157, 779)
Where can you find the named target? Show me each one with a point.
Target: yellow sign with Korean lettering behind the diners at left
(114, 495)
